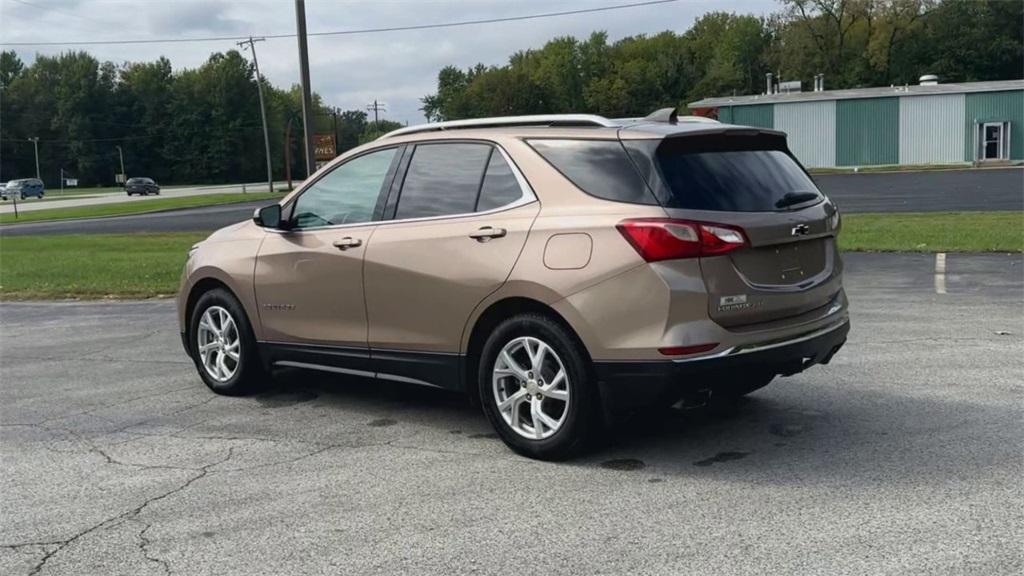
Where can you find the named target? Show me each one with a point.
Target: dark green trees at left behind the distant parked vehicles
(198, 126)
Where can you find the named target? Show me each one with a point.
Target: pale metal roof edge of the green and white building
(909, 91)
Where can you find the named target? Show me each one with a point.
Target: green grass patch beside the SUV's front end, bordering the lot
(93, 266)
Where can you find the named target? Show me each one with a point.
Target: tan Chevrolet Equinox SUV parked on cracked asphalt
(560, 269)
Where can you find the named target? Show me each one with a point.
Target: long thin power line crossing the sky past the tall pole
(349, 32)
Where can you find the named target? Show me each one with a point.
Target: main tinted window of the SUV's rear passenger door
(443, 180)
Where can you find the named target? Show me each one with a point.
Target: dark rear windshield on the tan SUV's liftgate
(751, 178)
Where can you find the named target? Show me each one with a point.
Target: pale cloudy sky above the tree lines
(349, 71)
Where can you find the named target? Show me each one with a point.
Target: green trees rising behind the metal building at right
(855, 44)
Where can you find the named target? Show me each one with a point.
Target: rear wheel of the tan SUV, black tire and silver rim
(577, 418)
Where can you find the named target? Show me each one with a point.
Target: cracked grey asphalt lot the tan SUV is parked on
(904, 457)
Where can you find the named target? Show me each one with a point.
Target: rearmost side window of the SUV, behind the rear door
(601, 169)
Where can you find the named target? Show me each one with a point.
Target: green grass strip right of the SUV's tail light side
(934, 232)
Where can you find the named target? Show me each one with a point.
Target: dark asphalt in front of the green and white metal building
(946, 191)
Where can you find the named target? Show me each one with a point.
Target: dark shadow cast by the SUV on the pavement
(799, 433)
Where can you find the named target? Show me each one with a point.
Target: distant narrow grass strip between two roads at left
(122, 209)
